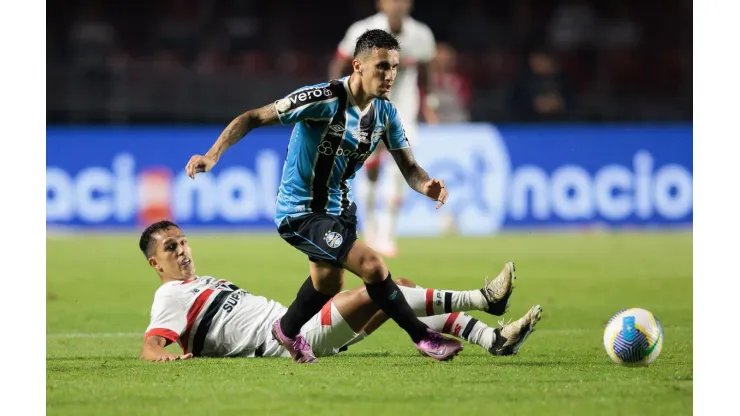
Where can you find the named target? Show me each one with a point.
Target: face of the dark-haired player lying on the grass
(172, 257)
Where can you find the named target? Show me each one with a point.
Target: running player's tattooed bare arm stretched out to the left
(235, 131)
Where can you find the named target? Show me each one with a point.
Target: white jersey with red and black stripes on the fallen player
(213, 318)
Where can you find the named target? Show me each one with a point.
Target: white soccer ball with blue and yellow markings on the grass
(633, 337)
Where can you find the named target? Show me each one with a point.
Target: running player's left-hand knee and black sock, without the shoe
(325, 281)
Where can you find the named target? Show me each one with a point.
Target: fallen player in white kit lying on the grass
(215, 318)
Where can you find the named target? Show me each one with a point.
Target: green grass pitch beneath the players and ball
(99, 292)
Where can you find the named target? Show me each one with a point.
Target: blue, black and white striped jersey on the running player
(331, 140)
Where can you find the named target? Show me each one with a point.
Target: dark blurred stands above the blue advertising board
(204, 61)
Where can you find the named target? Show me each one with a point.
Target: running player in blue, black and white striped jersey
(337, 125)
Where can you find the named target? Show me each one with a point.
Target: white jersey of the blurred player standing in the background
(417, 46)
